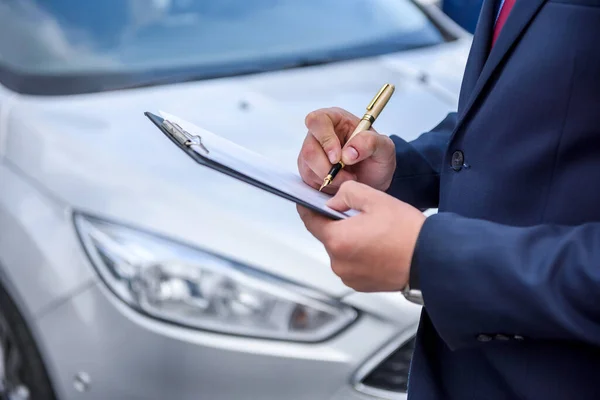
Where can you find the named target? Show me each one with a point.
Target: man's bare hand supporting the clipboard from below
(372, 251)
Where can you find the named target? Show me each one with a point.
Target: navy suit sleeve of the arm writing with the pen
(418, 165)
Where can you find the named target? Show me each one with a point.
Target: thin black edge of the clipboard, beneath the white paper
(158, 121)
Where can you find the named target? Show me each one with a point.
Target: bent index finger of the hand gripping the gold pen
(321, 124)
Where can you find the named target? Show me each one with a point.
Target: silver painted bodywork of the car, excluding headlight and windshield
(98, 154)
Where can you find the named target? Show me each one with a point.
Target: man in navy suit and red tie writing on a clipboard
(509, 268)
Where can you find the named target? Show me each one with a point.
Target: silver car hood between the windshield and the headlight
(98, 153)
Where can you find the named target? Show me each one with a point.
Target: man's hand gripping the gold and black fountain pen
(370, 157)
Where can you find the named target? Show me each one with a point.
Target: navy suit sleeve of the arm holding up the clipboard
(479, 277)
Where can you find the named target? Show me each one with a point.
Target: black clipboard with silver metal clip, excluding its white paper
(195, 148)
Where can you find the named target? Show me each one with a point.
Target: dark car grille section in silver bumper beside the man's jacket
(392, 373)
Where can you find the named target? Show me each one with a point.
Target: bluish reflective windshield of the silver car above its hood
(75, 46)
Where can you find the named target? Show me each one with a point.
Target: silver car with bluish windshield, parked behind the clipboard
(130, 272)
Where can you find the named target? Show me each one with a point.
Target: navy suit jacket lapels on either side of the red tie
(521, 15)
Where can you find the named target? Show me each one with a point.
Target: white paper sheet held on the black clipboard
(255, 166)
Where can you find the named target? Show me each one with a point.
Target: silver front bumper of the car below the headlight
(130, 356)
